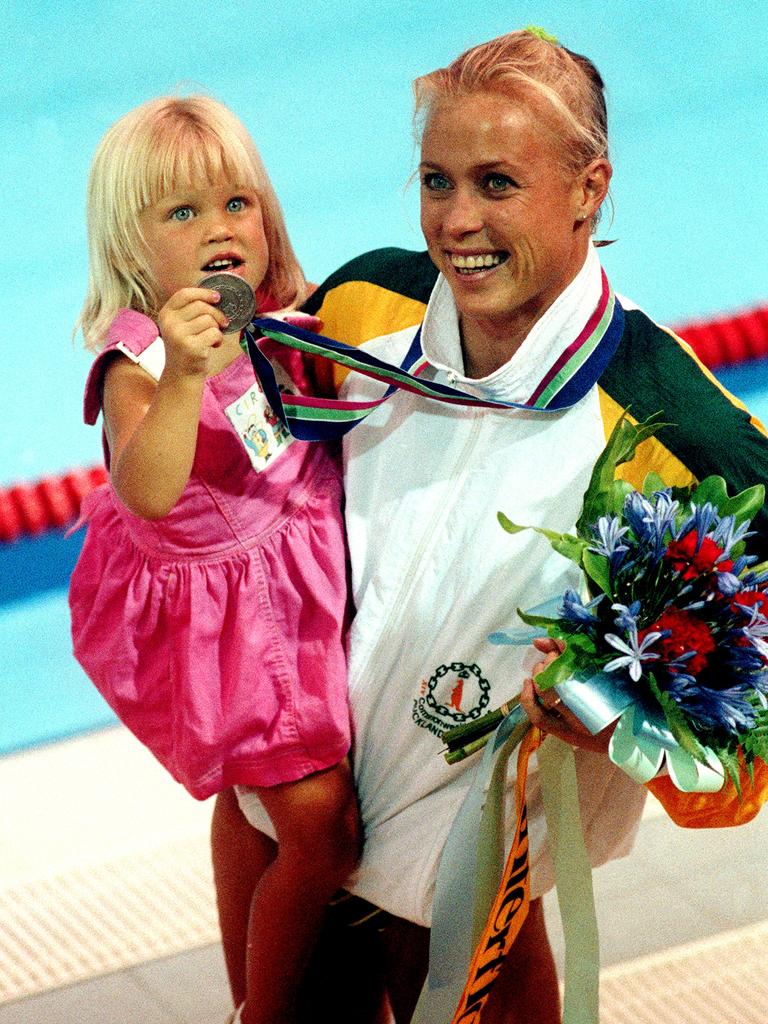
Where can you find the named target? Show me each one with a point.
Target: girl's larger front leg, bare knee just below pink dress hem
(318, 828)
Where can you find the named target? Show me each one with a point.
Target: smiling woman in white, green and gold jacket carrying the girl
(515, 169)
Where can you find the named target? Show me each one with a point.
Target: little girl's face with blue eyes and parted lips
(201, 230)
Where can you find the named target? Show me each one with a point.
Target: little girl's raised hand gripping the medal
(192, 327)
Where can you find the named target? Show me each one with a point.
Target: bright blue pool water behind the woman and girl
(325, 90)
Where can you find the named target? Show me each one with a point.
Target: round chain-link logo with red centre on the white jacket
(456, 694)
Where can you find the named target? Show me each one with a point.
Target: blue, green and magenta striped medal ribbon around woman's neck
(564, 385)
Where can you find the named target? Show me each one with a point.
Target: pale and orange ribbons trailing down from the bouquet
(481, 907)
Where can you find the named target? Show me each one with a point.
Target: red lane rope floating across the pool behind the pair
(55, 501)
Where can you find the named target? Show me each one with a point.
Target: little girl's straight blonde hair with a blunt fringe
(161, 146)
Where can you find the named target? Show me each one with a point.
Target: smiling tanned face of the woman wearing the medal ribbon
(504, 222)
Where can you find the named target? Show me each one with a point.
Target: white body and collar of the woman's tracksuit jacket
(434, 574)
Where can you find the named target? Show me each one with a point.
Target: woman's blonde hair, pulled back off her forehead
(519, 65)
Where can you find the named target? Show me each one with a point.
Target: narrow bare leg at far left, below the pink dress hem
(241, 856)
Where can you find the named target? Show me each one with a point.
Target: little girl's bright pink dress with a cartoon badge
(218, 633)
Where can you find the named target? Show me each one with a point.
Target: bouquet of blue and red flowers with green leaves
(673, 614)
